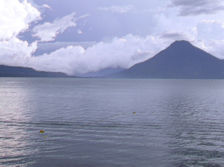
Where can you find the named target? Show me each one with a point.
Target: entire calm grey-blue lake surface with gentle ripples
(111, 123)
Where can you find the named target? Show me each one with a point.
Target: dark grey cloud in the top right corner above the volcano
(197, 7)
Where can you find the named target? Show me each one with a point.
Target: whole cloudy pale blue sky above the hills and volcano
(81, 36)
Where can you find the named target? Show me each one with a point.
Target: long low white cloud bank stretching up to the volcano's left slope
(120, 52)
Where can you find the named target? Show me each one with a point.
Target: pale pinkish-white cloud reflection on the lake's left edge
(13, 137)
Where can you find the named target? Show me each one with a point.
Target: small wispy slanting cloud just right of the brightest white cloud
(49, 31)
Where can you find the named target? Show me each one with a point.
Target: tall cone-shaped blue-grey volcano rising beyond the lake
(180, 60)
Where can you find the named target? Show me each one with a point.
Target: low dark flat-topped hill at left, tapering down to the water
(8, 71)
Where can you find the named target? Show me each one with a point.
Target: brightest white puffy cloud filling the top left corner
(15, 17)
